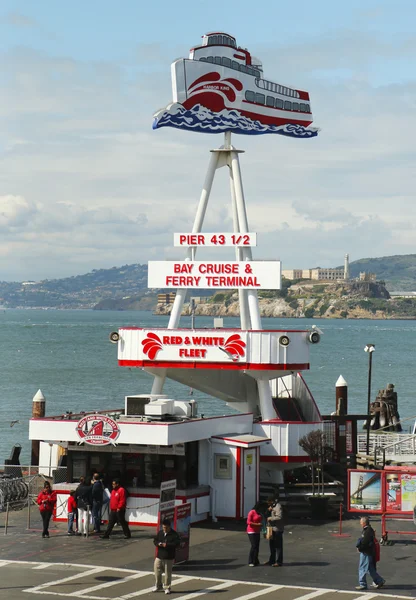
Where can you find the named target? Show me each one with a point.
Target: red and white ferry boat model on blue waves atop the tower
(221, 87)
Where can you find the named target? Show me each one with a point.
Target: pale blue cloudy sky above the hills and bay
(85, 183)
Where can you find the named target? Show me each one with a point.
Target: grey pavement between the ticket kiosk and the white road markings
(312, 555)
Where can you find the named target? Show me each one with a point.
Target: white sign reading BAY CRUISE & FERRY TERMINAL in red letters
(247, 275)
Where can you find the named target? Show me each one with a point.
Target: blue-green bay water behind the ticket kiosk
(68, 356)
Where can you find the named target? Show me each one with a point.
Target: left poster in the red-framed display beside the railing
(365, 491)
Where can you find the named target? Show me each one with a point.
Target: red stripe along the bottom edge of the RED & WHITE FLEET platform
(165, 364)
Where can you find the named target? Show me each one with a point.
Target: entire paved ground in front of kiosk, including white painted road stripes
(317, 564)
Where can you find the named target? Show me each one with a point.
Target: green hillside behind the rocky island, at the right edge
(399, 272)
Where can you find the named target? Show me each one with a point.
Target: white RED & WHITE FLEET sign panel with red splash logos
(207, 346)
